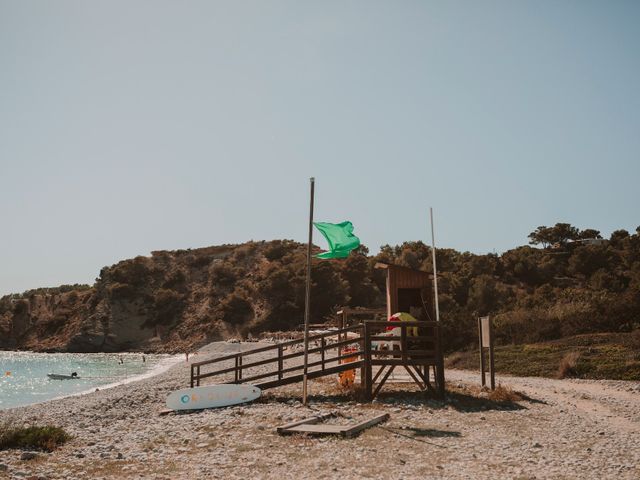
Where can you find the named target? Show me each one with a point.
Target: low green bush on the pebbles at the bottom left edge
(46, 438)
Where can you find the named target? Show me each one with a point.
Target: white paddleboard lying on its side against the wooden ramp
(212, 396)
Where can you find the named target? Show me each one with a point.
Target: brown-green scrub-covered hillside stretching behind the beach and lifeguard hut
(568, 282)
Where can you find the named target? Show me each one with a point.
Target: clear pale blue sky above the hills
(133, 126)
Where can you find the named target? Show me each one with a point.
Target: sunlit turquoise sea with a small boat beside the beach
(24, 381)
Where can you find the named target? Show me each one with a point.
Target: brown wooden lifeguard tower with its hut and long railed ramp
(416, 345)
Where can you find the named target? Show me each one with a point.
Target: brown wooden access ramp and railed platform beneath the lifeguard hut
(376, 348)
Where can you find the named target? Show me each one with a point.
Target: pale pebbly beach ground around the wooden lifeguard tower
(562, 429)
